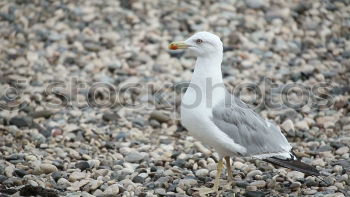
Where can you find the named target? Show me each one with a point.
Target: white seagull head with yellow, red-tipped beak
(201, 43)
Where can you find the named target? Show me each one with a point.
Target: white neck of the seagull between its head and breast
(208, 70)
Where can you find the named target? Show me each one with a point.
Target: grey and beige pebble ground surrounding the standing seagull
(65, 131)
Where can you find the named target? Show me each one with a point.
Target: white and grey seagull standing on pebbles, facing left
(219, 119)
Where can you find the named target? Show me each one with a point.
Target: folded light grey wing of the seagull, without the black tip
(248, 129)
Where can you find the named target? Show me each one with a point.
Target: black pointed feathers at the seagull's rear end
(294, 165)
